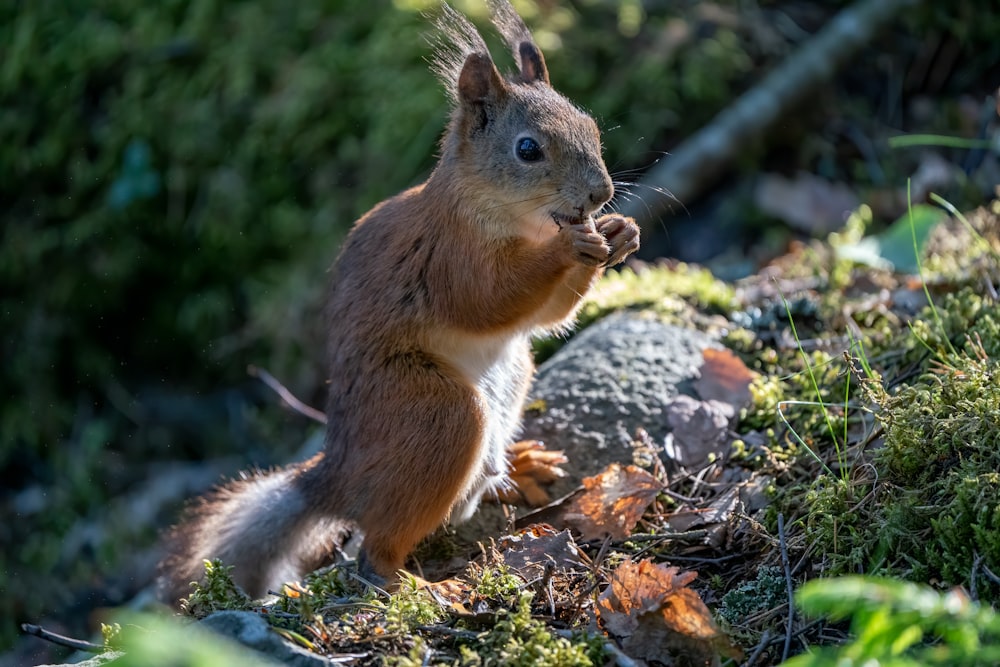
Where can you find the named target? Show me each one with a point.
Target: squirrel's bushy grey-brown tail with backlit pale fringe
(262, 525)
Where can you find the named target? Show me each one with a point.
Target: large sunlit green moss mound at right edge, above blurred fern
(928, 507)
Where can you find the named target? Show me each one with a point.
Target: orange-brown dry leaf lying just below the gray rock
(612, 502)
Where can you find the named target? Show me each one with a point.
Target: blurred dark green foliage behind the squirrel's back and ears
(177, 175)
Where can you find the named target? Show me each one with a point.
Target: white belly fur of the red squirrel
(499, 367)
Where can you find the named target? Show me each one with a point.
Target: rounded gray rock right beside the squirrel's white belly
(617, 375)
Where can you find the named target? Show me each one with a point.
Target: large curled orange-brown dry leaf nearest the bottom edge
(655, 616)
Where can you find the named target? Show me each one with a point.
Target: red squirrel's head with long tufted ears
(521, 145)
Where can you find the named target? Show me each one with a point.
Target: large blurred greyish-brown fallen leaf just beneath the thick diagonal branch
(807, 202)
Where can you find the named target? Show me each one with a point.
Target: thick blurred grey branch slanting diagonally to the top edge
(697, 162)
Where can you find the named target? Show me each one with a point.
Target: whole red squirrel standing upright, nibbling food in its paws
(434, 298)
